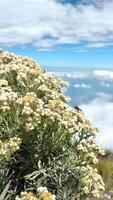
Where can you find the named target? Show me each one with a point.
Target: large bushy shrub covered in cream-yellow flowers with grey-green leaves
(43, 140)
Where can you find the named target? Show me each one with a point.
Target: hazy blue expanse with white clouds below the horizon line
(93, 94)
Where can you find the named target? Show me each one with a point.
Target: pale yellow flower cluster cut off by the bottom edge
(42, 194)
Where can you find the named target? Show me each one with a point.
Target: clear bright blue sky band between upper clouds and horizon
(94, 58)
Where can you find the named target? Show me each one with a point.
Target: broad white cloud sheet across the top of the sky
(47, 23)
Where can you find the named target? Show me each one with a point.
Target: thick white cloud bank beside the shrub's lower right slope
(100, 111)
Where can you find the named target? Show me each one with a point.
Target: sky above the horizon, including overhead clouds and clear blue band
(59, 33)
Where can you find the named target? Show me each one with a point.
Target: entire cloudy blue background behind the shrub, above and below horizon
(63, 34)
